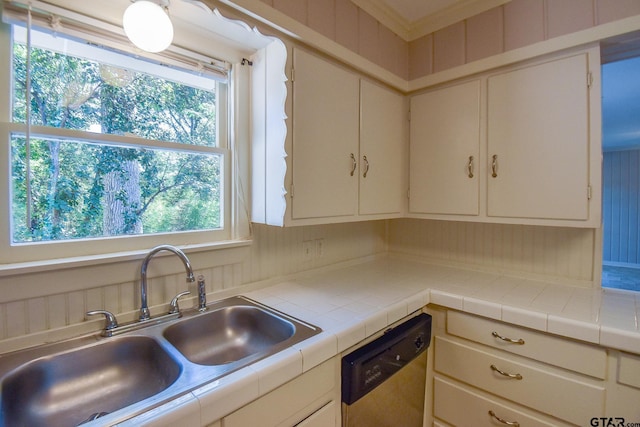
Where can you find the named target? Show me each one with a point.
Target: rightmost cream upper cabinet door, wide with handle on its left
(538, 141)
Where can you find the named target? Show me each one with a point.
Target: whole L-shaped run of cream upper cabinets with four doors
(517, 145)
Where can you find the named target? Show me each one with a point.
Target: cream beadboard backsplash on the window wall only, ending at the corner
(47, 306)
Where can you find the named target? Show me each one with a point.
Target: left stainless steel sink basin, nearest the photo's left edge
(69, 388)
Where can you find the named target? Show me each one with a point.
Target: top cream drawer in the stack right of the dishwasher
(576, 356)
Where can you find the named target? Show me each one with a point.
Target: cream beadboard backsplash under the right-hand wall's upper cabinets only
(553, 253)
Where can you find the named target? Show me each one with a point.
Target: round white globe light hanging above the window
(148, 26)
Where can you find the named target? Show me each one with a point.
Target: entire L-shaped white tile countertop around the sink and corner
(355, 301)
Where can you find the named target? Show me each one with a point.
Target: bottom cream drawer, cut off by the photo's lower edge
(461, 406)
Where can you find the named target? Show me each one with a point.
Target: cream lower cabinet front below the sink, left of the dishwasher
(311, 400)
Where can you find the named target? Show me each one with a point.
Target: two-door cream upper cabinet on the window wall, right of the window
(346, 156)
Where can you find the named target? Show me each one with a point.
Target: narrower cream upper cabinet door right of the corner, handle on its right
(445, 149)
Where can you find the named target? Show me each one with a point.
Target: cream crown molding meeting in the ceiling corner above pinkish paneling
(412, 30)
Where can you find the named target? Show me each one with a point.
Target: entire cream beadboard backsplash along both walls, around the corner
(48, 306)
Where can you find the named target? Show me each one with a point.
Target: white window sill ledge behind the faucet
(110, 258)
